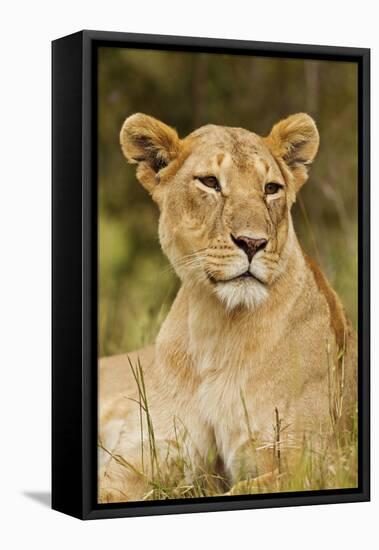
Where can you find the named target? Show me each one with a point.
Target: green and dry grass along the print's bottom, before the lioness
(314, 461)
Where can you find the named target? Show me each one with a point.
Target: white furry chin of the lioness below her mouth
(241, 293)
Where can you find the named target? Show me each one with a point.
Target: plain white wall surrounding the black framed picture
(27, 28)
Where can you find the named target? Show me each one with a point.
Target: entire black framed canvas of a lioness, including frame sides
(210, 287)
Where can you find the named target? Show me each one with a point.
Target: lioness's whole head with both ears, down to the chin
(225, 196)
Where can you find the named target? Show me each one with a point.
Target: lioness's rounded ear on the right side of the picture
(295, 140)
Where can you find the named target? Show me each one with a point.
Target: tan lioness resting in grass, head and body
(255, 335)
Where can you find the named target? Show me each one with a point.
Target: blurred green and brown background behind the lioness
(185, 90)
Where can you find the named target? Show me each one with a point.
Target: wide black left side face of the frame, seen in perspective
(67, 425)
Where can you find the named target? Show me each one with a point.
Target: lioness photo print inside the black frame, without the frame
(227, 275)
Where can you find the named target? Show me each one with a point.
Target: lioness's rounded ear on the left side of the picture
(149, 143)
